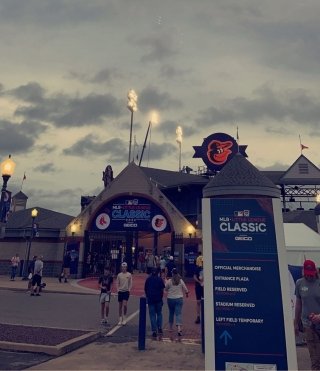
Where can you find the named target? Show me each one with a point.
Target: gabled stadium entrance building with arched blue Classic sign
(130, 217)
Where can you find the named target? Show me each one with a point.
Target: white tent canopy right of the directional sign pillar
(302, 243)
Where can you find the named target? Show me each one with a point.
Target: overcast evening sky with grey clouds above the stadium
(208, 66)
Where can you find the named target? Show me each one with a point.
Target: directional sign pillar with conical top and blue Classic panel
(248, 317)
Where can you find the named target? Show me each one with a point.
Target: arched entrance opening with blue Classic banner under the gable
(121, 228)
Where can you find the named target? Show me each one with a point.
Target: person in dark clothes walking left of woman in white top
(153, 289)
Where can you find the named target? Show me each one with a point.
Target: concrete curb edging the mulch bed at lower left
(56, 350)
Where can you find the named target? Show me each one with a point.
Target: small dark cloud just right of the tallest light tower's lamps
(150, 98)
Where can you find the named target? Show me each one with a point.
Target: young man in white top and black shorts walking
(124, 285)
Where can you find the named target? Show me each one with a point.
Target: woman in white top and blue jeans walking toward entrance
(175, 288)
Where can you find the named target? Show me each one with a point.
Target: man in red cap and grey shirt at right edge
(307, 310)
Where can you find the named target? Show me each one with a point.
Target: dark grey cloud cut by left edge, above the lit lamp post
(19, 138)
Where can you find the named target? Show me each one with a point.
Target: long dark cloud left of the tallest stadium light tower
(65, 111)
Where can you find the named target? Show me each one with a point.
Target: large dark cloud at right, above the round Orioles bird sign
(297, 106)
